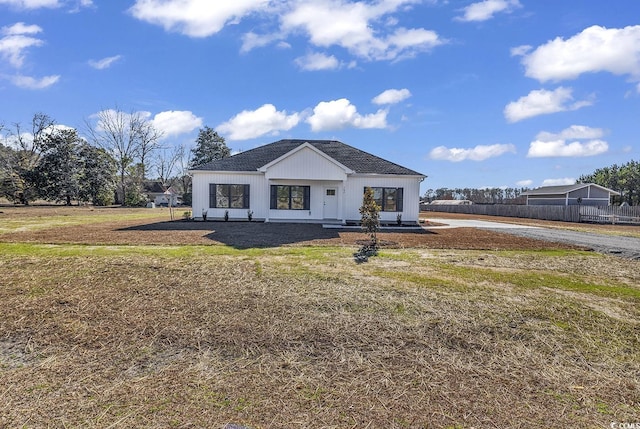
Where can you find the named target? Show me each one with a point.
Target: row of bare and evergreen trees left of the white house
(110, 164)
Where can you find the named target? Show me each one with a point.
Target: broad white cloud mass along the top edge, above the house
(365, 29)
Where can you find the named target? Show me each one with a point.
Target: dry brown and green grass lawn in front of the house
(157, 335)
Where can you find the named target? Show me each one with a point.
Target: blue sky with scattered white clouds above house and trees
(490, 93)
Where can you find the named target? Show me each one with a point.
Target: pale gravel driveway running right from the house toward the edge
(626, 247)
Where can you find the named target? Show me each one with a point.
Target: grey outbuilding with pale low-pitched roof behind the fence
(587, 194)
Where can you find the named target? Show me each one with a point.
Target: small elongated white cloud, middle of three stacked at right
(542, 102)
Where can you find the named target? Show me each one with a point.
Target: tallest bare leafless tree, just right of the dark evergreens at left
(128, 137)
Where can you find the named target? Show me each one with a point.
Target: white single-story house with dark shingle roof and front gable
(304, 181)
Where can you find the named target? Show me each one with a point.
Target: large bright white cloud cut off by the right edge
(595, 49)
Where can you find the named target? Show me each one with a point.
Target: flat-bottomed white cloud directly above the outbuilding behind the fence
(558, 145)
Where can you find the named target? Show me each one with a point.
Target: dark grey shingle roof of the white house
(352, 158)
